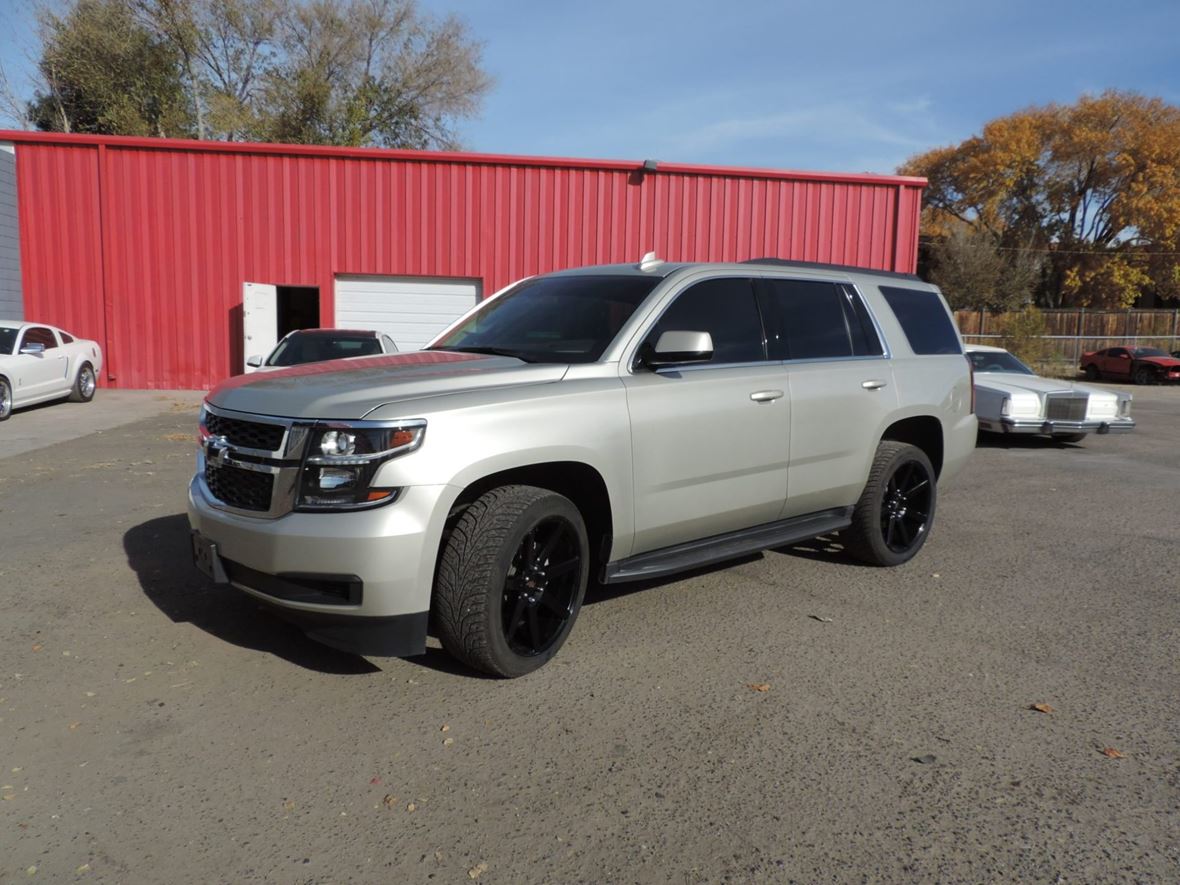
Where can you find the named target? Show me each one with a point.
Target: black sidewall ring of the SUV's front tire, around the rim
(508, 661)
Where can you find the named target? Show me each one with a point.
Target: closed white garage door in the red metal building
(409, 310)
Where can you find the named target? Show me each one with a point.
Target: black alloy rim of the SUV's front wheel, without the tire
(542, 587)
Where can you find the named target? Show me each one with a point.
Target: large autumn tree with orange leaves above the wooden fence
(1090, 193)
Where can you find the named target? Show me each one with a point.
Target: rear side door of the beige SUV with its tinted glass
(842, 389)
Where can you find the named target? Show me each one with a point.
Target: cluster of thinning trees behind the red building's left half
(356, 73)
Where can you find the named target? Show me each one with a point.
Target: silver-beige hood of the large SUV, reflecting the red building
(349, 390)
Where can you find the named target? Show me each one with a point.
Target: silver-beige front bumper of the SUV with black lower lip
(356, 581)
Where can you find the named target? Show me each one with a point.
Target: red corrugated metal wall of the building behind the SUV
(146, 245)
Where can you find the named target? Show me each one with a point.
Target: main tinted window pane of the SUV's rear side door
(812, 317)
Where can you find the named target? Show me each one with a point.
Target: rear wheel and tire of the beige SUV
(893, 520)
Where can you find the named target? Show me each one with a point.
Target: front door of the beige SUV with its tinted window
(710, 441)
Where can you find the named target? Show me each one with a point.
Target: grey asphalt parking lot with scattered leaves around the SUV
(156, 729)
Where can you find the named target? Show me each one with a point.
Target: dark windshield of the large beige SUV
(553, 319)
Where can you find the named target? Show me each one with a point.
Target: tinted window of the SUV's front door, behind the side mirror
(727, 311)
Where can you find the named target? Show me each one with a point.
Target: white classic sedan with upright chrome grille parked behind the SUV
(1009, 398)
